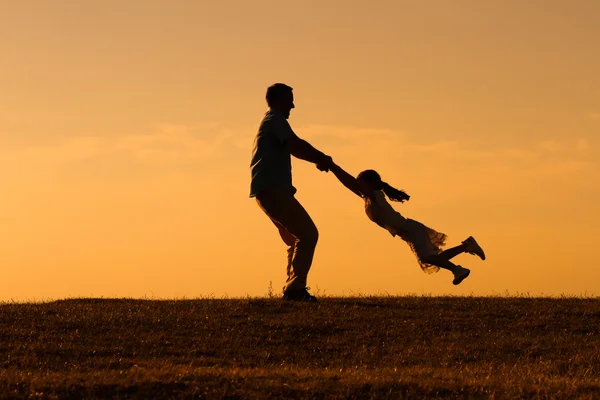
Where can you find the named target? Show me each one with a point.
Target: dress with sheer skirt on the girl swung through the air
(423, 241)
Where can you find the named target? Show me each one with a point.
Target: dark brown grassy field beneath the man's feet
(366, 347)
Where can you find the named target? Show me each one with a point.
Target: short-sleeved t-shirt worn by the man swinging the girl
(271, 164)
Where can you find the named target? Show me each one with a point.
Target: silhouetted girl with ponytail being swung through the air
(424, 242)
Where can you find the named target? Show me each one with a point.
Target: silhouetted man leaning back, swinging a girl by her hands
(272, 187)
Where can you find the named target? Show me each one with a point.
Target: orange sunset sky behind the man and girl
(126, 131)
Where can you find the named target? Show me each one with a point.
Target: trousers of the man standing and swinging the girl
(287, 213)
